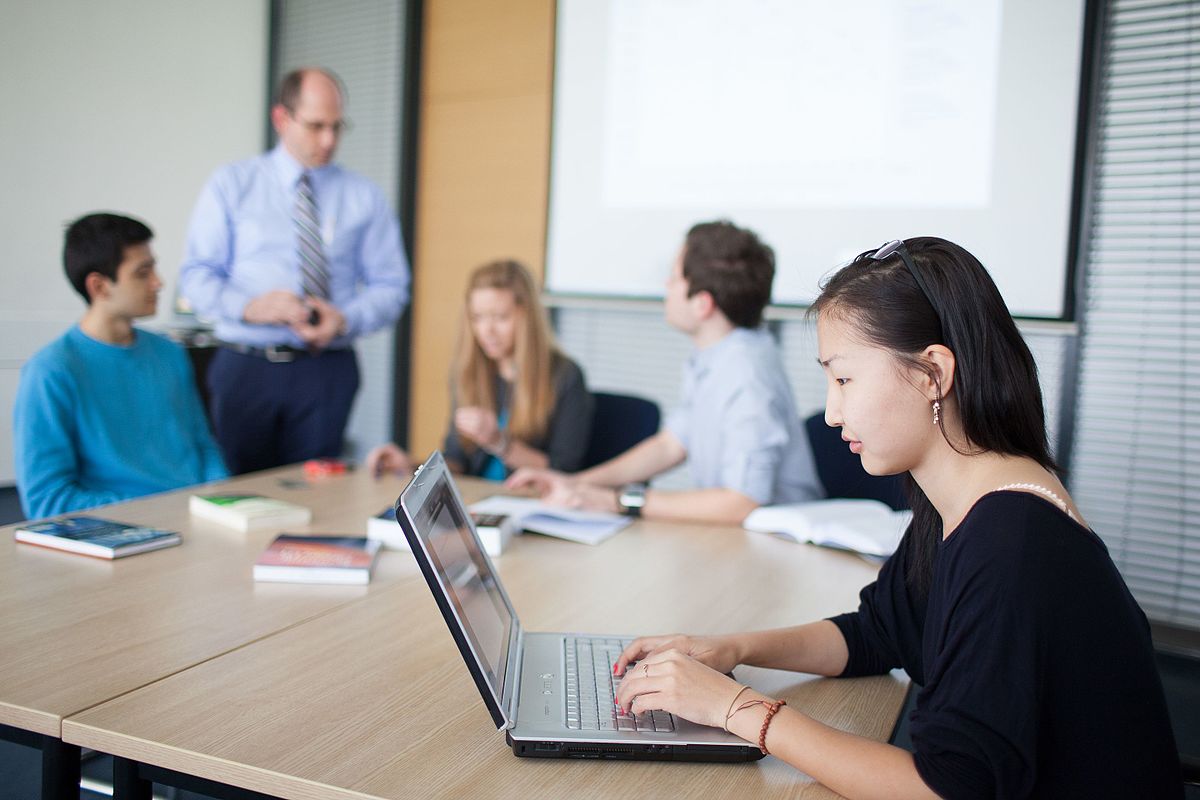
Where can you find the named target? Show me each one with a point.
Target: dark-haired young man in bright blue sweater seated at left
(109, 412)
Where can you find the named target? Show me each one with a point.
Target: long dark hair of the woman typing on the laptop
(995, 377)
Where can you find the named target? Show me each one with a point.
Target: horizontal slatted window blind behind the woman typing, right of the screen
(1137, 447)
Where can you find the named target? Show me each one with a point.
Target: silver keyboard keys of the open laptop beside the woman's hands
(591, 689)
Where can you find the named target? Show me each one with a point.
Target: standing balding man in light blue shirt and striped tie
(295, 258)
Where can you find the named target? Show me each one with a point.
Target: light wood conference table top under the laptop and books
(178, 661)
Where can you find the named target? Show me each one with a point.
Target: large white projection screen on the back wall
(829, 129)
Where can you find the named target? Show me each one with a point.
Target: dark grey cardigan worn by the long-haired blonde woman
(567, 436)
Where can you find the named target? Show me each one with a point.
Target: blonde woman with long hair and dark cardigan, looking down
(519, 400)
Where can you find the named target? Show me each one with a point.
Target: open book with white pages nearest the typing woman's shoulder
(866, 527)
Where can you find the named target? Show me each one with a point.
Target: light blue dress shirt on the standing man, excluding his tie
(242, 244)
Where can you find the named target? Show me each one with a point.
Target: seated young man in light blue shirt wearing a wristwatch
(737, 426)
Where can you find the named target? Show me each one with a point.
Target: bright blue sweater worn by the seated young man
(99, 423)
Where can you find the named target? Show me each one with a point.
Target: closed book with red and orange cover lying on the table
(317, 560)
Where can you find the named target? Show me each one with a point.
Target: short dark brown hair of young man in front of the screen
(734, 266)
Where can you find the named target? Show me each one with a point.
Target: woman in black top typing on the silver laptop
(1036, 664)
